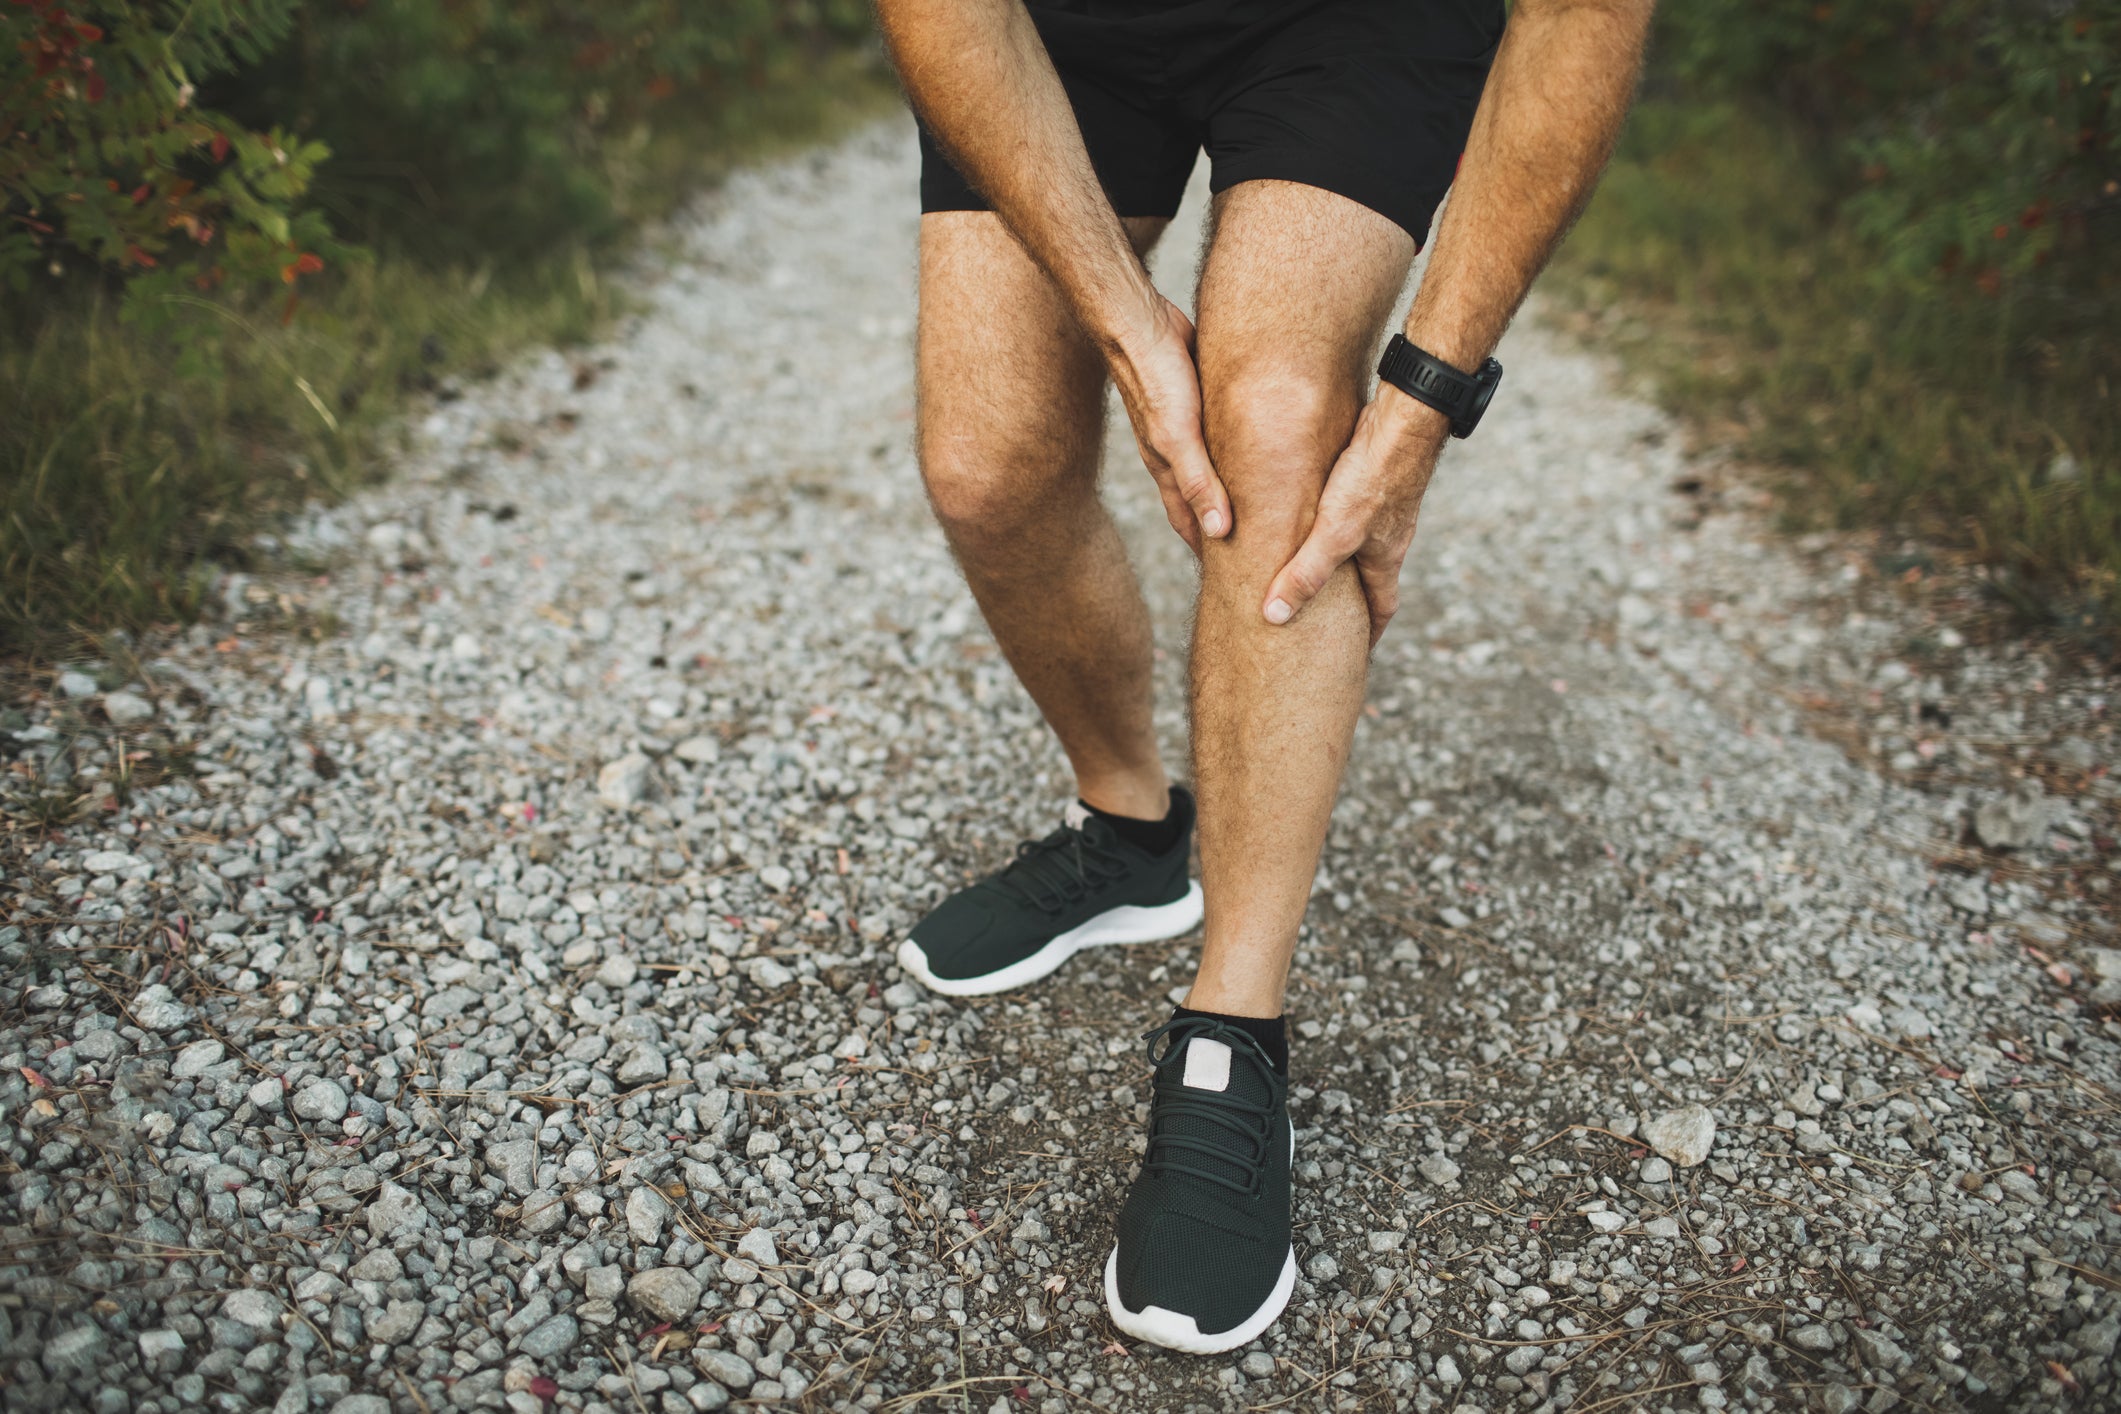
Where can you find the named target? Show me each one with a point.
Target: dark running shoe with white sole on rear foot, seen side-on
(1074, 889)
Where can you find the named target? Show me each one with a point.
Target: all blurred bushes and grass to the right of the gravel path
(1874, 249)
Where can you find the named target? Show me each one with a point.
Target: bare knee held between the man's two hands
(1274, 436)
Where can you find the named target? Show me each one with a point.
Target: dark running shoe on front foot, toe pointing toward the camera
(1204, 1258)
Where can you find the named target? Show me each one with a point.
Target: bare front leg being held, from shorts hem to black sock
(1295, 296)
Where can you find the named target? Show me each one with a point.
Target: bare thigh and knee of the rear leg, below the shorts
(1011, 391)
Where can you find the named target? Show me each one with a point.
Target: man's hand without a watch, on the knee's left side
(1161, 387)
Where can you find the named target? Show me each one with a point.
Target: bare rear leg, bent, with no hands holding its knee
(1013, 414)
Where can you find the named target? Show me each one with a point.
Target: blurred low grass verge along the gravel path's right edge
(1912, 408)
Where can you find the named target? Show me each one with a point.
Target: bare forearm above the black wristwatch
(1543, 135)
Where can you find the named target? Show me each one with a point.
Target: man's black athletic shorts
(1365, 99)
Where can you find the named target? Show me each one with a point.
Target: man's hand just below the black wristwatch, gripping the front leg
(1367, 512)
